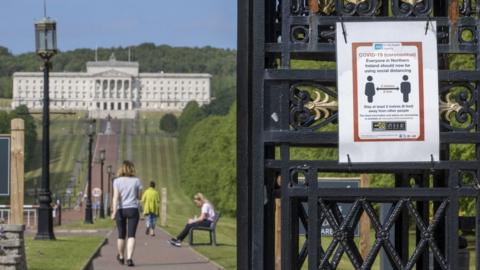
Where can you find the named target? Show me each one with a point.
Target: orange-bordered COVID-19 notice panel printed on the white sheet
(388, 91)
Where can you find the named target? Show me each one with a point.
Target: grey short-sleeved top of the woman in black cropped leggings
(128, 191)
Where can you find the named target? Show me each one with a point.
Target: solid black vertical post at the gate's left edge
(244, 140)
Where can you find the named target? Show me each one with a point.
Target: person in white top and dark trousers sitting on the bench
(207, 216)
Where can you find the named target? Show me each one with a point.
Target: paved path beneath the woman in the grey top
(153, 253)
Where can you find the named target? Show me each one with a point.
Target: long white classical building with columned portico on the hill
(114, 88)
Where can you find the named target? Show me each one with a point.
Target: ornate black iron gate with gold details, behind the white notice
(279, 111)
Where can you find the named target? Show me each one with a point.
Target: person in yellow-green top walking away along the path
(151, 208)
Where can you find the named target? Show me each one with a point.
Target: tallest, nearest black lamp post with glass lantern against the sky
(46, 48)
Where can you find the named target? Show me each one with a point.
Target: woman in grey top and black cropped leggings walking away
(126, 192)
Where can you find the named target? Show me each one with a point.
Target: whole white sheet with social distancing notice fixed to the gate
(387, 92)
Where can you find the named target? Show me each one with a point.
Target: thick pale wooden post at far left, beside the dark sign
(17, 170)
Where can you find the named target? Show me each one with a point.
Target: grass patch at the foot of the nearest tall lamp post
(66, 253)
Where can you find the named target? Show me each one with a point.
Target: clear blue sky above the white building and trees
(114, 23)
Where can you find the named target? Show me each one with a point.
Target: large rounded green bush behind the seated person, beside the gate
(208, 160)
